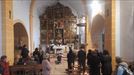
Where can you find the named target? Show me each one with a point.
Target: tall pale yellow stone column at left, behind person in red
(7, 30)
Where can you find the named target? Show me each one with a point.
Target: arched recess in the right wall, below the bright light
(98, 32)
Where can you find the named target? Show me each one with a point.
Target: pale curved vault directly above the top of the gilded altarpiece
(77, 6)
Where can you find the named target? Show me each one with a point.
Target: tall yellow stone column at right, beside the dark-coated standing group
(110, 28)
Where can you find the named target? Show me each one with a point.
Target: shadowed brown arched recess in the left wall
(20, 38)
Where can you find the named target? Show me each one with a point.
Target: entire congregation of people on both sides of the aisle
(93, 62)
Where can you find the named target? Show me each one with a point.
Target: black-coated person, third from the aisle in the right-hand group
(94, 64)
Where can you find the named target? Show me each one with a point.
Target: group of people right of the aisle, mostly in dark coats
(98, 63)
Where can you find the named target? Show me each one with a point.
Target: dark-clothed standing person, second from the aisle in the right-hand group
(82, 58)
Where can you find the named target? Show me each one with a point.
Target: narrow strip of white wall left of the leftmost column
(0, 29)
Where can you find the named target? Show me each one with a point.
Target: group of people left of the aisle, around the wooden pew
(37, 57)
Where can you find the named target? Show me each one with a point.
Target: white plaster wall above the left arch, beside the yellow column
(21, 12)
